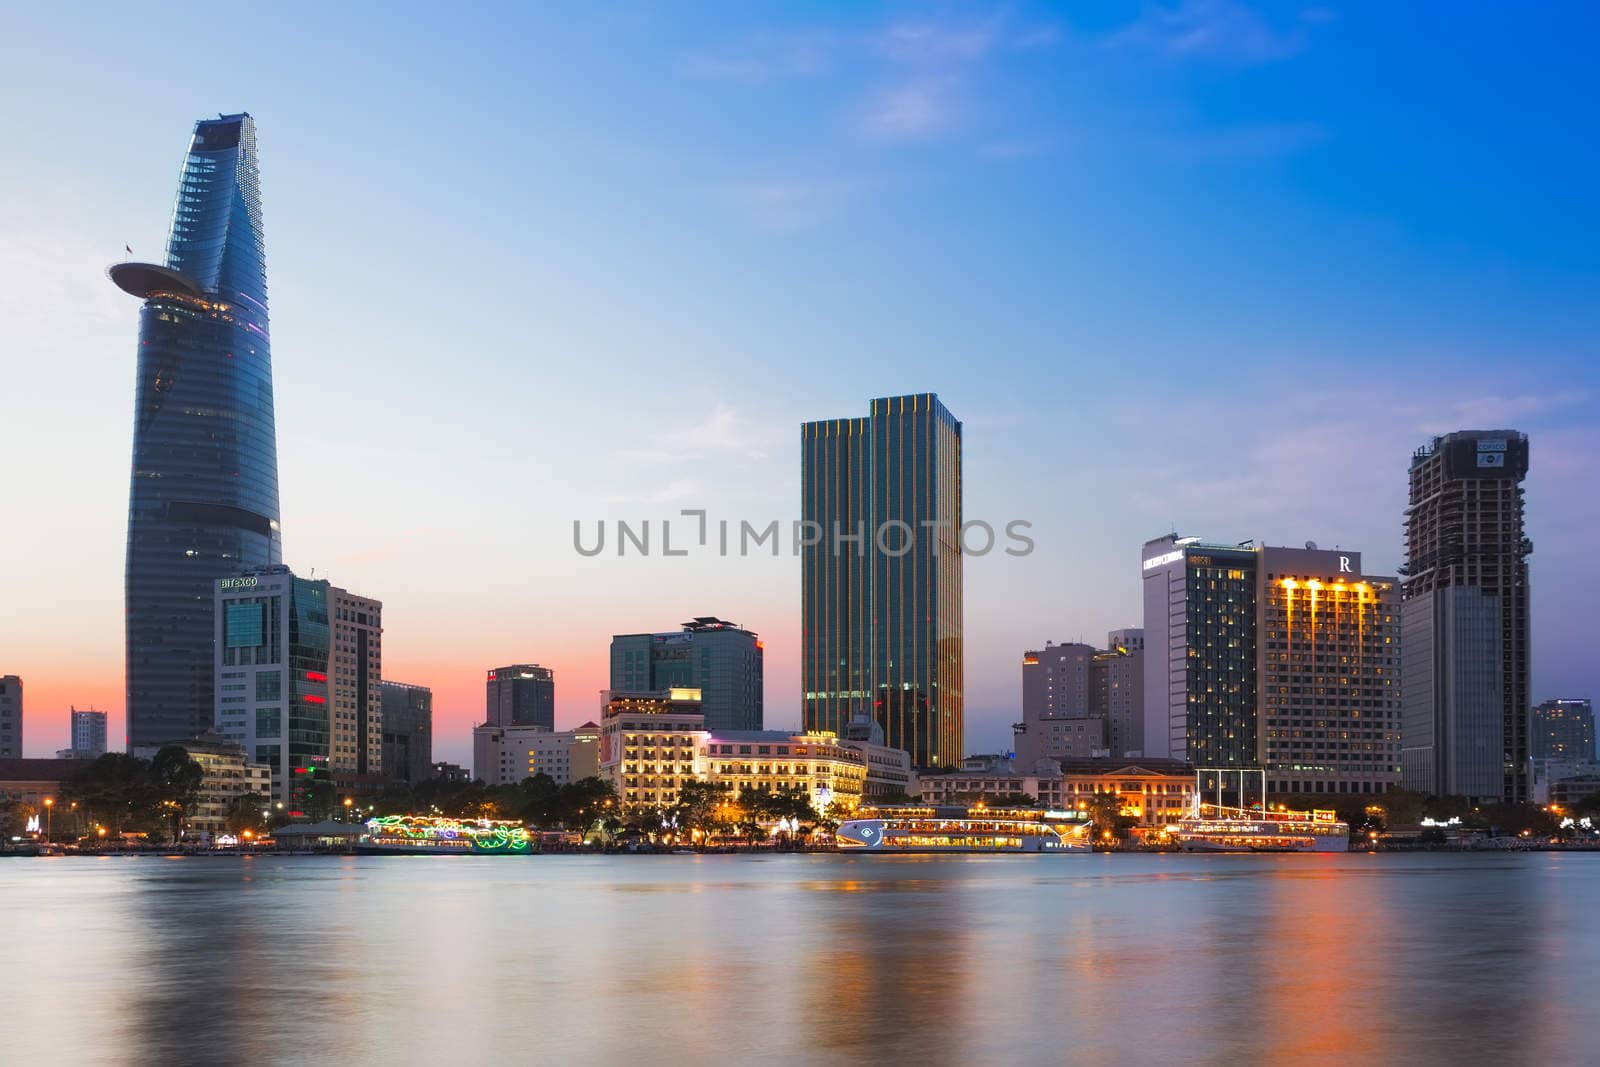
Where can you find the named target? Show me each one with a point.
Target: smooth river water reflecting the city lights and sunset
(802, 959)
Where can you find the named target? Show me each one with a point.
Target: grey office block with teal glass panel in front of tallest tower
(273, 642)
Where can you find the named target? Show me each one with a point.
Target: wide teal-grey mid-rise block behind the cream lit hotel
(721, 660)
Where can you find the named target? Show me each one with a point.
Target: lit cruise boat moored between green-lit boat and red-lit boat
(958, 829)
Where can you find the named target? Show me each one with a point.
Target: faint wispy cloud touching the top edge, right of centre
(1212, 30)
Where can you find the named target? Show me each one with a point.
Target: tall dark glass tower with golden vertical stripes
(881, 570)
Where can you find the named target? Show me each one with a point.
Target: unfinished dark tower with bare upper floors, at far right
(1466, 618)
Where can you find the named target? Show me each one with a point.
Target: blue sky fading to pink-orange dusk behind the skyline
(1186, 266)
